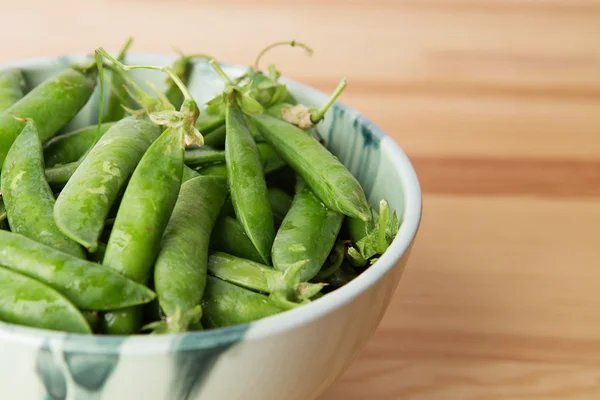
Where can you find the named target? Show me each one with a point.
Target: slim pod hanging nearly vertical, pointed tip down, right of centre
(247, 183)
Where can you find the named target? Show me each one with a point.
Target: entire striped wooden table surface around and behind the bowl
(497, 103)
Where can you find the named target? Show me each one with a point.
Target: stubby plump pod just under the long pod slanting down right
(307, 233)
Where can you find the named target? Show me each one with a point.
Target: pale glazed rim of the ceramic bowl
(269, 326)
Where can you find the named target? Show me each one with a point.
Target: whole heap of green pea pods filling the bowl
(163, 218)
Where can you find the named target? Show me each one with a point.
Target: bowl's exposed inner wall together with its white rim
(373, 157)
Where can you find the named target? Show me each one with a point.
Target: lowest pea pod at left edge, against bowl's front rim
(25, 301)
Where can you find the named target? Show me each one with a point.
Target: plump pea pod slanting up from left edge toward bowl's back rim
(53, 104)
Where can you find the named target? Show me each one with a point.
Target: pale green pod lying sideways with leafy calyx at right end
(285, 288)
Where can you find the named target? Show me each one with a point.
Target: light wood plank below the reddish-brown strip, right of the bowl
(499, 301)
